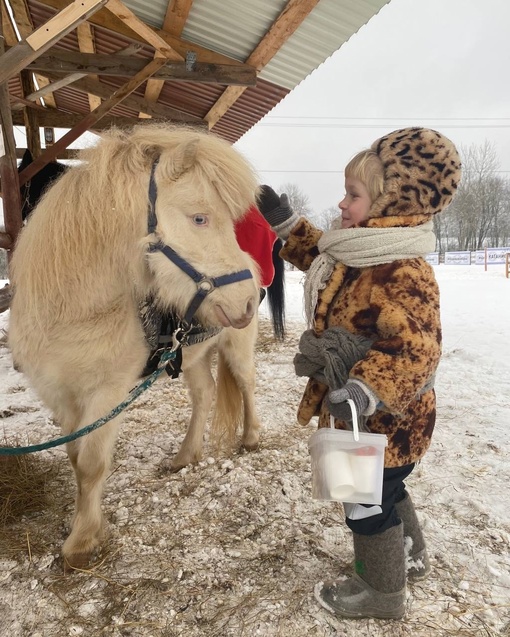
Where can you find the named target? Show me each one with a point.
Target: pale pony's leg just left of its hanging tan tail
(201, 387)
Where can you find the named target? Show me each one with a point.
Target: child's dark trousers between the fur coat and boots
(394, 491)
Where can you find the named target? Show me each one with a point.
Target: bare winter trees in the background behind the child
(479, 216)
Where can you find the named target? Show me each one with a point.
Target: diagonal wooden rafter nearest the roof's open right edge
(282, 28)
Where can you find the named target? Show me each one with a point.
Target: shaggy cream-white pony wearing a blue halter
(85, 261)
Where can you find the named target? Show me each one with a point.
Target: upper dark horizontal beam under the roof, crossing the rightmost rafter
(58, 61)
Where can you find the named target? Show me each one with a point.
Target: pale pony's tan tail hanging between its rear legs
(228, 410)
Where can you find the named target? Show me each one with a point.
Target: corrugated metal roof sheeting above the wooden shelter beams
(233, 28)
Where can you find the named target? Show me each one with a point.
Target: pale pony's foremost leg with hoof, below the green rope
(90, 457)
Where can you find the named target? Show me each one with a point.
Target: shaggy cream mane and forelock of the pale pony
(101, 204)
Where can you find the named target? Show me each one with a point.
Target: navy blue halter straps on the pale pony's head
(205, 285)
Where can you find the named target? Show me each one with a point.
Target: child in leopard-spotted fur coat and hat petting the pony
(370, 278)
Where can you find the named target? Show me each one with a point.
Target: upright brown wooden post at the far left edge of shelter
(11, 199)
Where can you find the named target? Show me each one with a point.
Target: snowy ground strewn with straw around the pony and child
(233, 547)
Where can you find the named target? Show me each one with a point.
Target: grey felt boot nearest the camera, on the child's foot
(378, 588)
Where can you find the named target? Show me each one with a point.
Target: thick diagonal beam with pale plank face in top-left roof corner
(16, 58)
